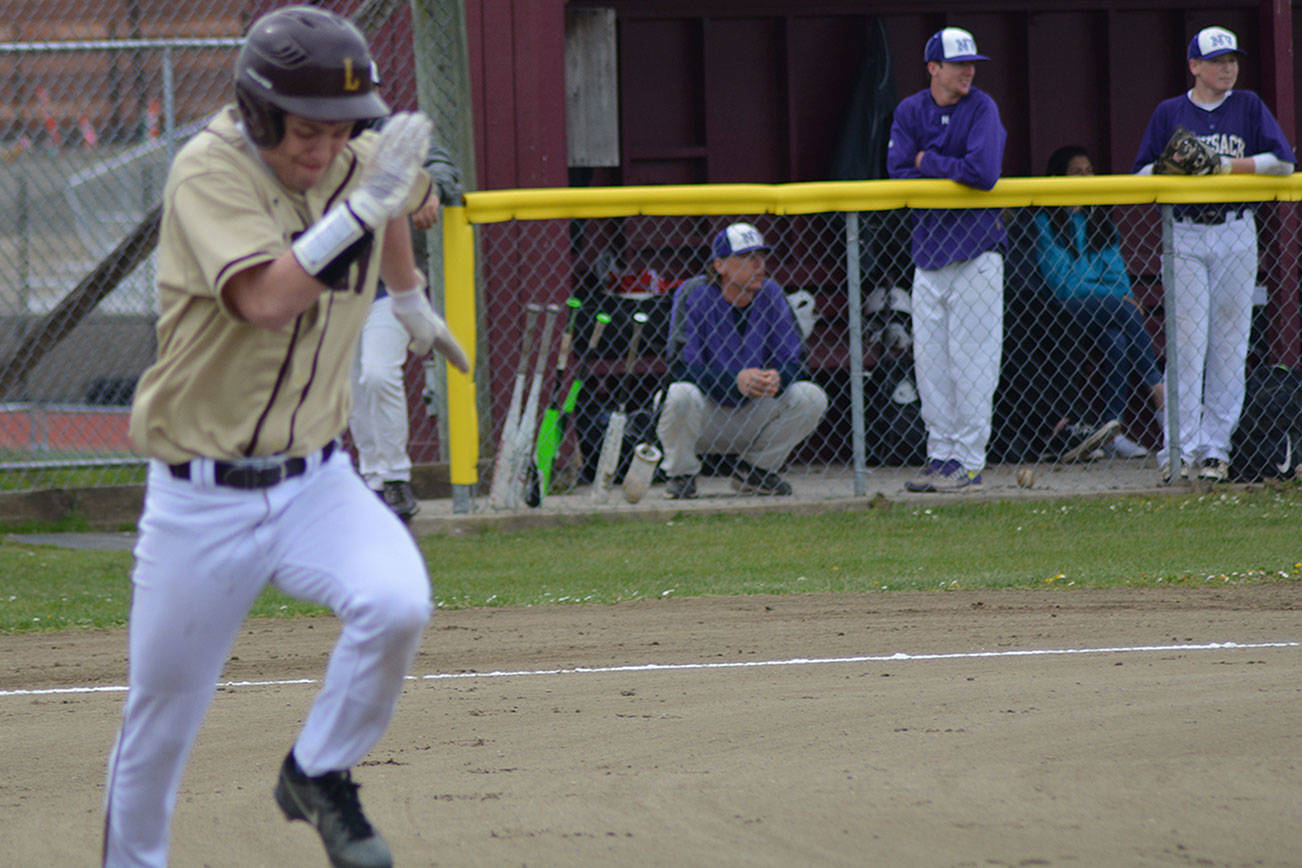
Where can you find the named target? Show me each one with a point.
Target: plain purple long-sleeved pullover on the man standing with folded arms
(965, 144)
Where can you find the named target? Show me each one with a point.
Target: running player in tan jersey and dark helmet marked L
(279, 218)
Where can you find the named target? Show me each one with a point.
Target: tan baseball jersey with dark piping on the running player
(222, 388)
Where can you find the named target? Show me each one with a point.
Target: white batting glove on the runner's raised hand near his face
(393, 170)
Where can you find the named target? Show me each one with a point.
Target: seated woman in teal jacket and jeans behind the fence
(1079, 252)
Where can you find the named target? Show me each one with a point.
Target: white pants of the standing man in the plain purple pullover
(958, 340)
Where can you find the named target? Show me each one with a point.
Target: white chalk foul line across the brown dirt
(748, 664)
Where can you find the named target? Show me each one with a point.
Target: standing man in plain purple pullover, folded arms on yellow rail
(952, 131)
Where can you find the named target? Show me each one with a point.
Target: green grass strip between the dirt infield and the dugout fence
(1231, 537)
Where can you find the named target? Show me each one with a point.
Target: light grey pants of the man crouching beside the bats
(761, 431)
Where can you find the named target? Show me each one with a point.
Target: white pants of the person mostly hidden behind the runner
(380, 418)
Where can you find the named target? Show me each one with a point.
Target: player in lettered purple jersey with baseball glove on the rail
(1214, 257)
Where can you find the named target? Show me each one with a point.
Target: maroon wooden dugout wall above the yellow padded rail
(756, 90)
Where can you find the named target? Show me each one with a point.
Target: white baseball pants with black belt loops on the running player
(204, 556)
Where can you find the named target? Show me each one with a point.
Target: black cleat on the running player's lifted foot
(330, 804)
